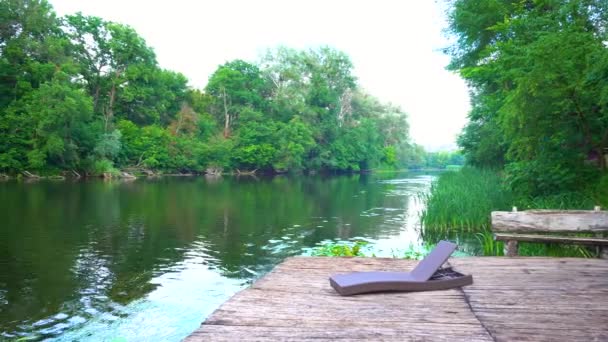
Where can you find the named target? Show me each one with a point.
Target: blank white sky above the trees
(394, 45)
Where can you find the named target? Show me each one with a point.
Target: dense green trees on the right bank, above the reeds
(538, 73)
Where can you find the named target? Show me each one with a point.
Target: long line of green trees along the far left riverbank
(81, 93)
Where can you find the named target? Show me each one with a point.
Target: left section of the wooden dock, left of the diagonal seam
(295, 302)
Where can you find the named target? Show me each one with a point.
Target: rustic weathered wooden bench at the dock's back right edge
(514, 226)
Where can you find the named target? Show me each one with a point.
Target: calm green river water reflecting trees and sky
(148, 260)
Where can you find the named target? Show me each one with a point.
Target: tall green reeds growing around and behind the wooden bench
(459, 204)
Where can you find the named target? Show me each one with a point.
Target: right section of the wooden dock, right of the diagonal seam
(539, 299)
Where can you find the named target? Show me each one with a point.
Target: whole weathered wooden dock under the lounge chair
(511, 299)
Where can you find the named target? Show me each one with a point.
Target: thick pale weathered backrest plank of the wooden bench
(549, 221)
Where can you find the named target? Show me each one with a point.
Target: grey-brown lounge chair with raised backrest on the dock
(427, 276)
